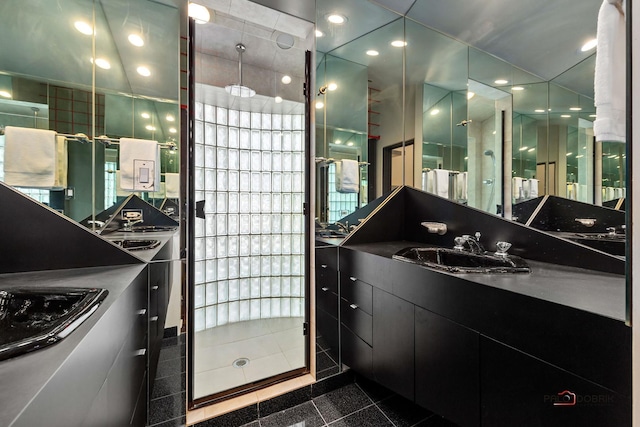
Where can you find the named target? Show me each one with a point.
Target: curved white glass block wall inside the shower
(249, 249)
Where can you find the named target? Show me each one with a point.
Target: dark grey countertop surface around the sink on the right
(592, 291)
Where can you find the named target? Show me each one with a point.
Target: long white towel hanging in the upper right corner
(610, 80)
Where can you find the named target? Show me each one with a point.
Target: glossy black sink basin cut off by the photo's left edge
(33, 318)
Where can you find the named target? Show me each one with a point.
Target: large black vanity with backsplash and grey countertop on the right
(544, 348)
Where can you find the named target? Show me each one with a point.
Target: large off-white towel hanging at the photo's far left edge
(29, 157)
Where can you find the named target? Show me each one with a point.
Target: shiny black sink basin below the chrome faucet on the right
(458, 261)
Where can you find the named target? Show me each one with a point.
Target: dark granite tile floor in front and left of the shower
(355, 402)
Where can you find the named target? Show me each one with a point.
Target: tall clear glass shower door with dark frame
(248, 289)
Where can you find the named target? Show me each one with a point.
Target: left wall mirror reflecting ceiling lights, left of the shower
(94, 78)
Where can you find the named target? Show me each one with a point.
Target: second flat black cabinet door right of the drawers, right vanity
(447, 368)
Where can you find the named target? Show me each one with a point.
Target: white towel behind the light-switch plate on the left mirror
(139, 165)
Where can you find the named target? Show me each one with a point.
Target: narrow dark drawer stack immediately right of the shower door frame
(327, 299)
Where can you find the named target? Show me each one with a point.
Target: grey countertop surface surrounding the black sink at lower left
(23, 377)
